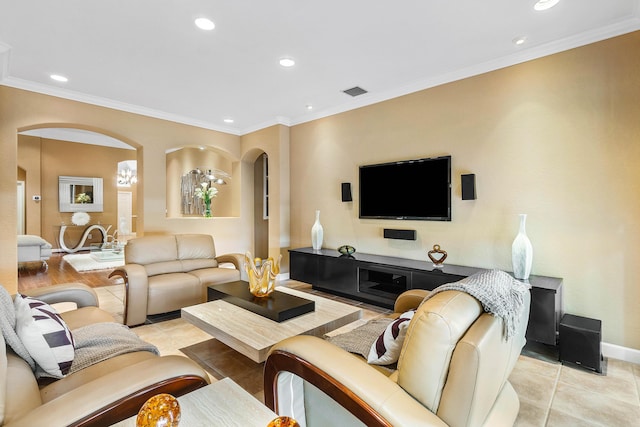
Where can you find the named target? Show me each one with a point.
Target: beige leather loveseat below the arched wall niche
(166, 273)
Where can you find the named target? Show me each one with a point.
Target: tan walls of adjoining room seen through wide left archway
(43, 217)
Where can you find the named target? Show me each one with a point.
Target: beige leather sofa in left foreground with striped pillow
(103, 393)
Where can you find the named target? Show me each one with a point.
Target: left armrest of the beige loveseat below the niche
(136, 285)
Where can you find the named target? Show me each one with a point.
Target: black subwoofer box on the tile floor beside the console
(580, 341)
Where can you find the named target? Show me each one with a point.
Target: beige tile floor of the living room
(551, 395)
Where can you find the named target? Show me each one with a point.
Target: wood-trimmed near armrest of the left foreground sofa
(119, 394)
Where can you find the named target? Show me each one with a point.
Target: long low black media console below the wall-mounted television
(379, 280)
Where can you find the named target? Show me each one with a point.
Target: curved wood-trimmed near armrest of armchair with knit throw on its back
(369, 395)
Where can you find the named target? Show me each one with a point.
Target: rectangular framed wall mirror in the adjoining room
(80, 194)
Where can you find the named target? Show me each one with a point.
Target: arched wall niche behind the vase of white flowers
(180, 161)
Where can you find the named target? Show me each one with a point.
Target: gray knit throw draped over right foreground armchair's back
(500, 295)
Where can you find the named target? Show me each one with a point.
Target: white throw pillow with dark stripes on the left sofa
(45, 336)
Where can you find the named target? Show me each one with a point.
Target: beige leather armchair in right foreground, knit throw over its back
(452, 371)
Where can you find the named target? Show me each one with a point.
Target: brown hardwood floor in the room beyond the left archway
(33, 275)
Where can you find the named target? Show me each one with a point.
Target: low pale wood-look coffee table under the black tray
(253, 335)
